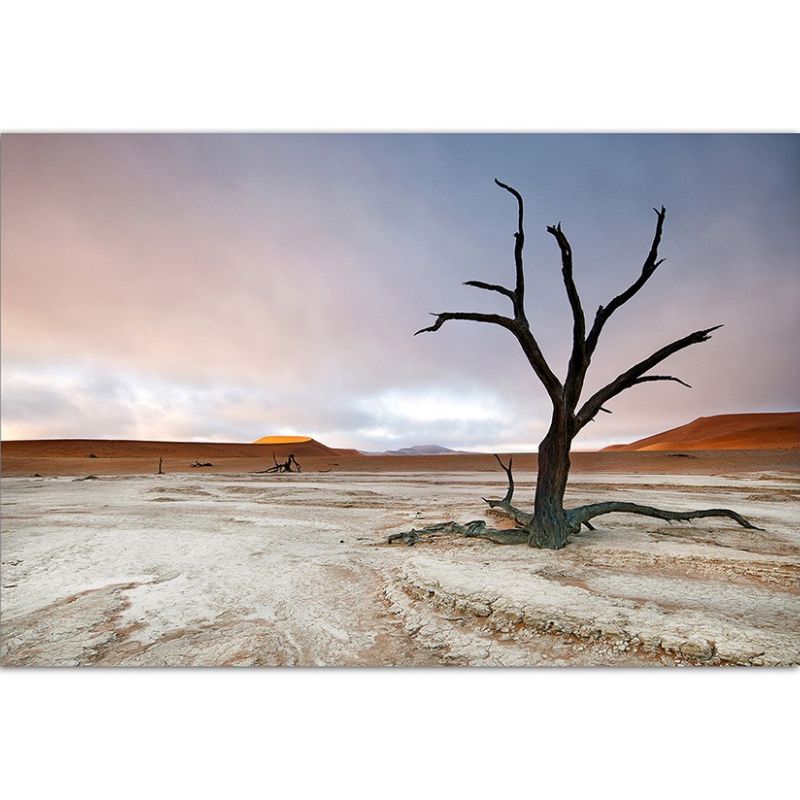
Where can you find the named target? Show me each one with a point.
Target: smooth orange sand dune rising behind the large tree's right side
(725, 432)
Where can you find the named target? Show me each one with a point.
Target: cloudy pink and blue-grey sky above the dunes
(224, 287)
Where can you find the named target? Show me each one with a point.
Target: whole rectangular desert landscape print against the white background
(234, 436)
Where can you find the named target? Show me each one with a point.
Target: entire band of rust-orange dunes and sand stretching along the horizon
(728, 432)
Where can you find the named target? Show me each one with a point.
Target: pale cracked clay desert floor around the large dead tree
(240, 569)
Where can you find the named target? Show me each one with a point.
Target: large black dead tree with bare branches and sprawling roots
(550, 523)
